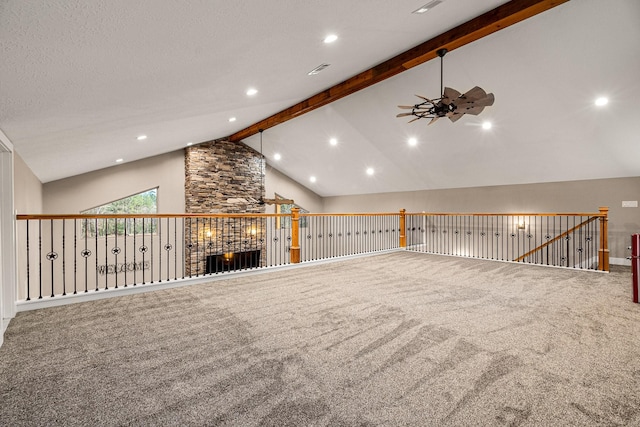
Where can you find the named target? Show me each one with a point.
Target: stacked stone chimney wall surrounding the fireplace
(222, 177)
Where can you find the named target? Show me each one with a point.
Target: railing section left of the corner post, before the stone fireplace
(59, 255)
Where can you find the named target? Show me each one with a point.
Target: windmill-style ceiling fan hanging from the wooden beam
(451, 103)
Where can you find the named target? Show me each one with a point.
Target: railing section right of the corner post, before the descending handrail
(574, 240)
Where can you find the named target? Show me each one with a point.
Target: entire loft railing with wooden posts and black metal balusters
(60, 255)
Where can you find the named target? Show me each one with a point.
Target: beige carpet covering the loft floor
(396, 339)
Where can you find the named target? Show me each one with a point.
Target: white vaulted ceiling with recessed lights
(80, 81)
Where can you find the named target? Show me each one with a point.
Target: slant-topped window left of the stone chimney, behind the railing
(141, 203)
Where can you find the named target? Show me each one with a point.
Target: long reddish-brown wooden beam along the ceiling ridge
(488, 23)
